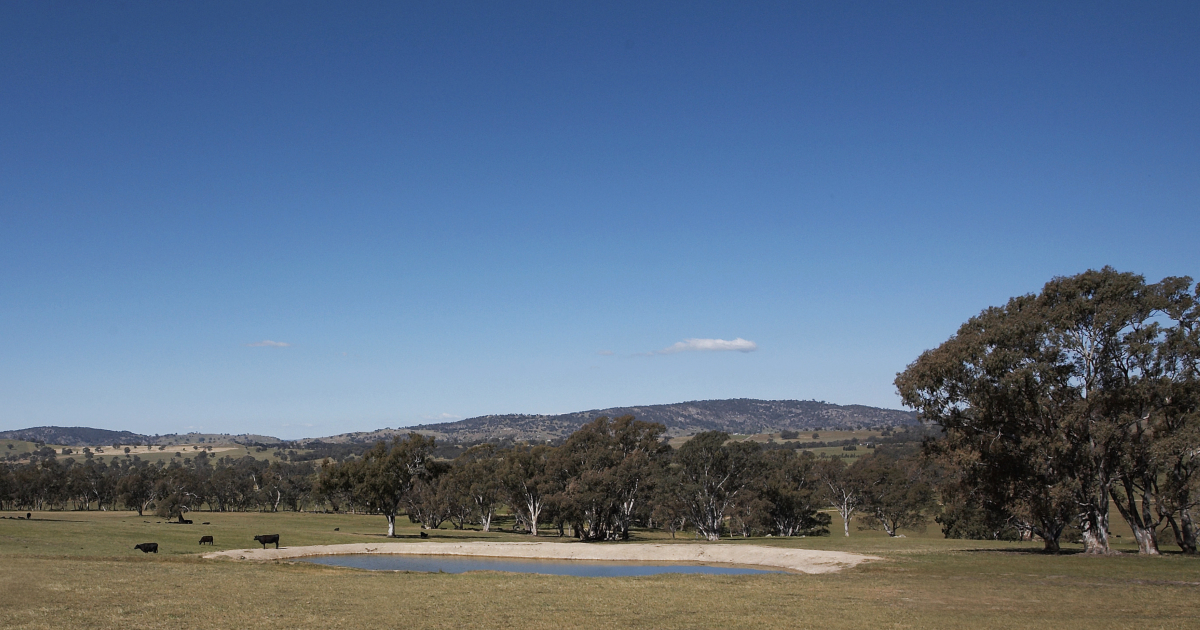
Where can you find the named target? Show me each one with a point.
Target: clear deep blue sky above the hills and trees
(447, 211)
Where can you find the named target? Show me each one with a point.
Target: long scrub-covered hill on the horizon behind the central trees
(737, 416)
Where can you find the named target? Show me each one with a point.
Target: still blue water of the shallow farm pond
(459, 565)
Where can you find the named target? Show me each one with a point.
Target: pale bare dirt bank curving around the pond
(803, 561)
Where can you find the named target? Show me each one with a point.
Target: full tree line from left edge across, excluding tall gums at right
(607, 479)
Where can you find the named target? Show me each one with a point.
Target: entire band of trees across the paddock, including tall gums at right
(1048, 413)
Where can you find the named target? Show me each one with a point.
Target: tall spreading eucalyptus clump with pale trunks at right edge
(1072, 400)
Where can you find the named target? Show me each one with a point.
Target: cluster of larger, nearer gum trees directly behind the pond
(613, 476)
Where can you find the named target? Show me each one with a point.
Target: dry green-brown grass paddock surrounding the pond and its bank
(80, 571)
